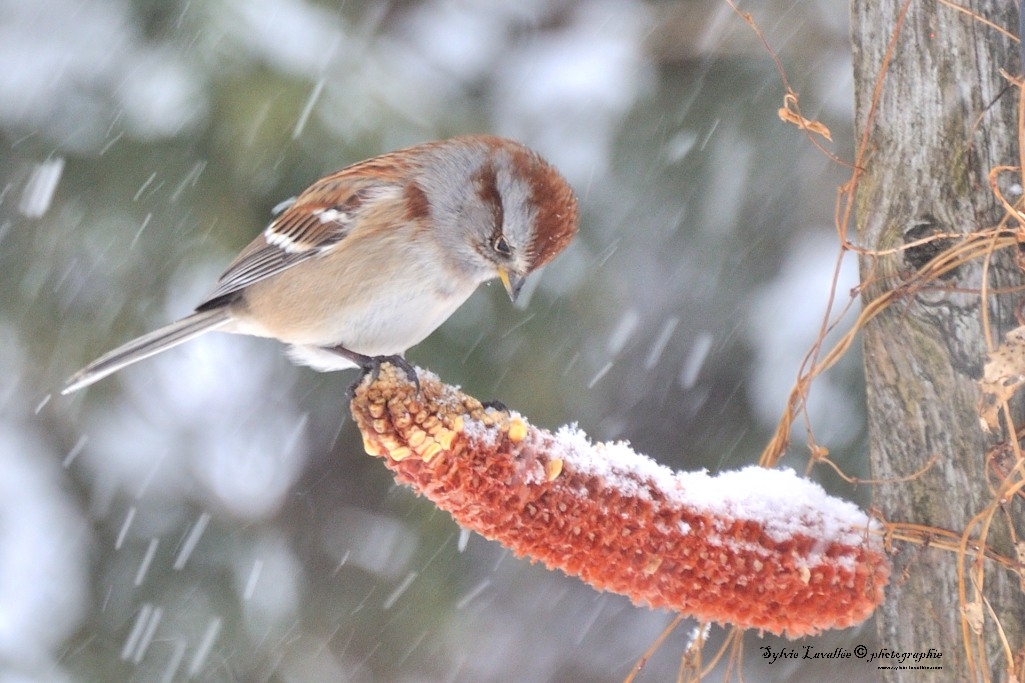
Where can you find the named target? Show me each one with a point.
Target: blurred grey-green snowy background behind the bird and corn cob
(210, 514)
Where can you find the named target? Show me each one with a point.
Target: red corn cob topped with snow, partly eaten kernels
(760, 549)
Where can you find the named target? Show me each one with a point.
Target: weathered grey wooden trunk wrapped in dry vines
(941, 122)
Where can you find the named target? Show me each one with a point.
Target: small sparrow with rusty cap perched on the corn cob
(371, 260)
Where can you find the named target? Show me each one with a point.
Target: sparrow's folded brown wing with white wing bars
(318, 220)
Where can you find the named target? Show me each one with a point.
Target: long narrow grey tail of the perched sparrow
(146, 346)
